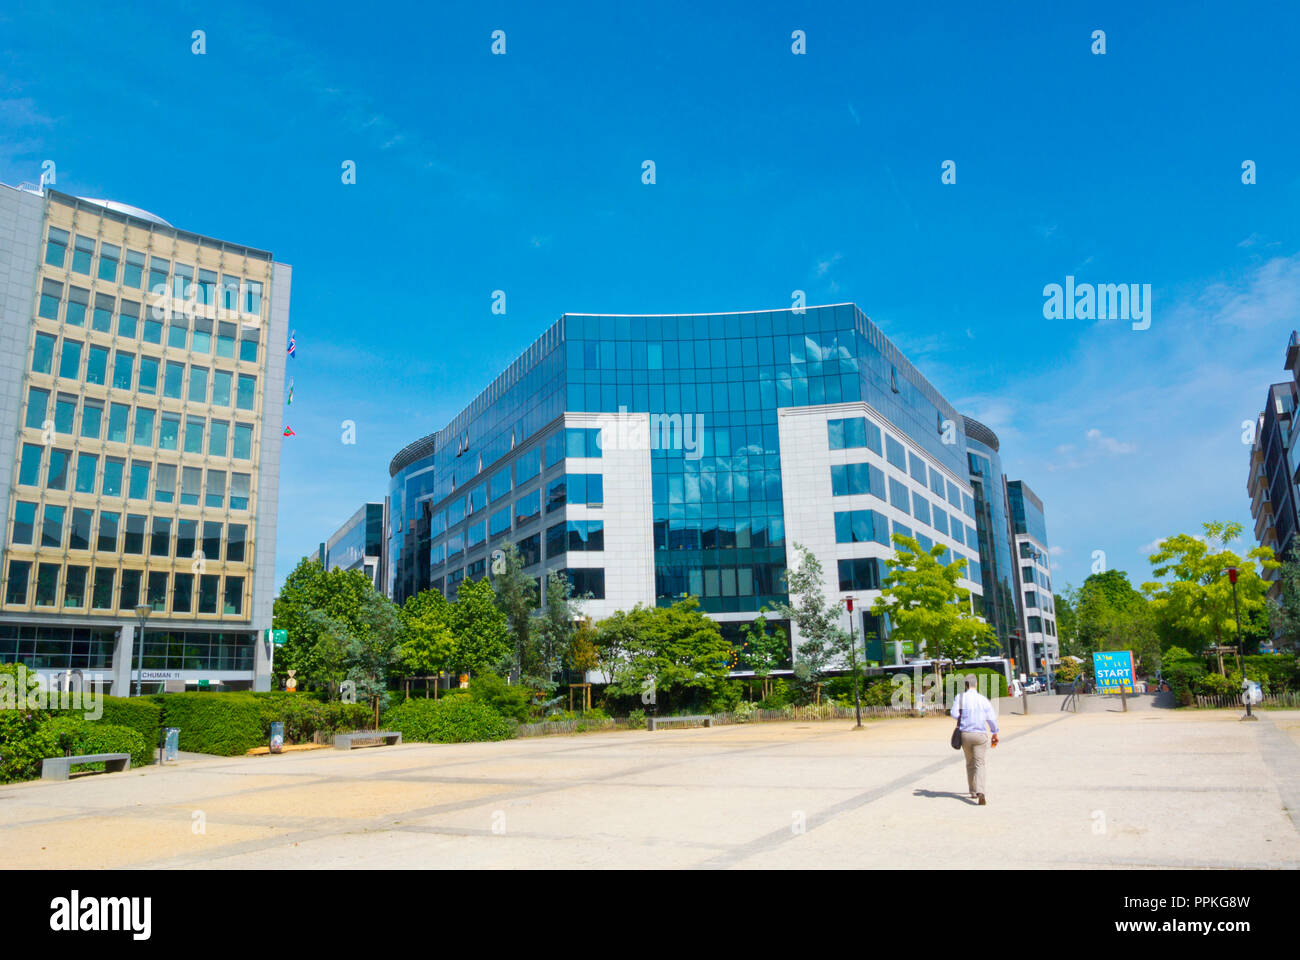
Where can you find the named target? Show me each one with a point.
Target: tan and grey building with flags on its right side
(141, 388)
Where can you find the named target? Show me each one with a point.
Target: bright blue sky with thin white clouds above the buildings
(774, 172)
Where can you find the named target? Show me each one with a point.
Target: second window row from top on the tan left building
(128, 319)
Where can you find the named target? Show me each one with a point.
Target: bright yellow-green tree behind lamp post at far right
(1195, 606)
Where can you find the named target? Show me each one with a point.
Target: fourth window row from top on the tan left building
(119, 429)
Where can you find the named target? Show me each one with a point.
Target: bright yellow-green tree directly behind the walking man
(926, 607)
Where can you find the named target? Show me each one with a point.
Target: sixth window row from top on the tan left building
(75, 529)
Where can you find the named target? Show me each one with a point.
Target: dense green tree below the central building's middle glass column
(675, 651)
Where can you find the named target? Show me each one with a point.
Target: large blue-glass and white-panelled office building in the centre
(655, 457)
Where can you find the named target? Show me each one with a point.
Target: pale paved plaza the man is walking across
(1146, 789)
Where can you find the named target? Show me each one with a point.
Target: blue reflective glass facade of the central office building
(718, 516)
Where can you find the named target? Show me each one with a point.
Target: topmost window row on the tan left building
(129, 269)
